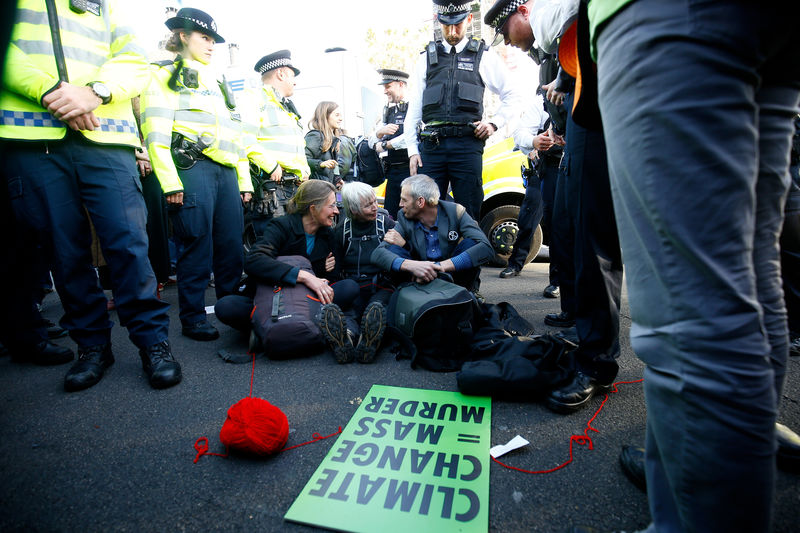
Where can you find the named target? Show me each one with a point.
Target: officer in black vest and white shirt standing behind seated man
(448, 97)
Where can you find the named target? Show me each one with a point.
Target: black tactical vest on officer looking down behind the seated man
(453, 86)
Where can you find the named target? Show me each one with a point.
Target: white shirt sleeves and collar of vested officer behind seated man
(495, 76)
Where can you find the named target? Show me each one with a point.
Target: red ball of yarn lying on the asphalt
(254, 425)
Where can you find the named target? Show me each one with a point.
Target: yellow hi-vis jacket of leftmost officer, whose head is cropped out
(97, 47)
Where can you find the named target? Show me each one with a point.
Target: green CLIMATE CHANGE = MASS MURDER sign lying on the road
(408, 460)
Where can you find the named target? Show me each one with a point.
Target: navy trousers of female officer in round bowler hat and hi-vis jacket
(209, 226)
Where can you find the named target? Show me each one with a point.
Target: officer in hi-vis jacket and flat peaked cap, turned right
(275, 141)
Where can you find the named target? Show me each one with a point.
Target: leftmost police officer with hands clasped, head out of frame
(69, 138)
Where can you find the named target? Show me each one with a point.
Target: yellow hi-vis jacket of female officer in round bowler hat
(191, 112)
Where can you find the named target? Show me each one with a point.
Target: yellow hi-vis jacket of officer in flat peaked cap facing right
(275, 135)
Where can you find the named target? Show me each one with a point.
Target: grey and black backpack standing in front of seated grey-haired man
(439, 318)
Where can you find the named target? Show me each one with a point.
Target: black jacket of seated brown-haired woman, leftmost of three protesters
(285, 236)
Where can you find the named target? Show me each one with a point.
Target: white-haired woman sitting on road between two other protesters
(355, 238)
